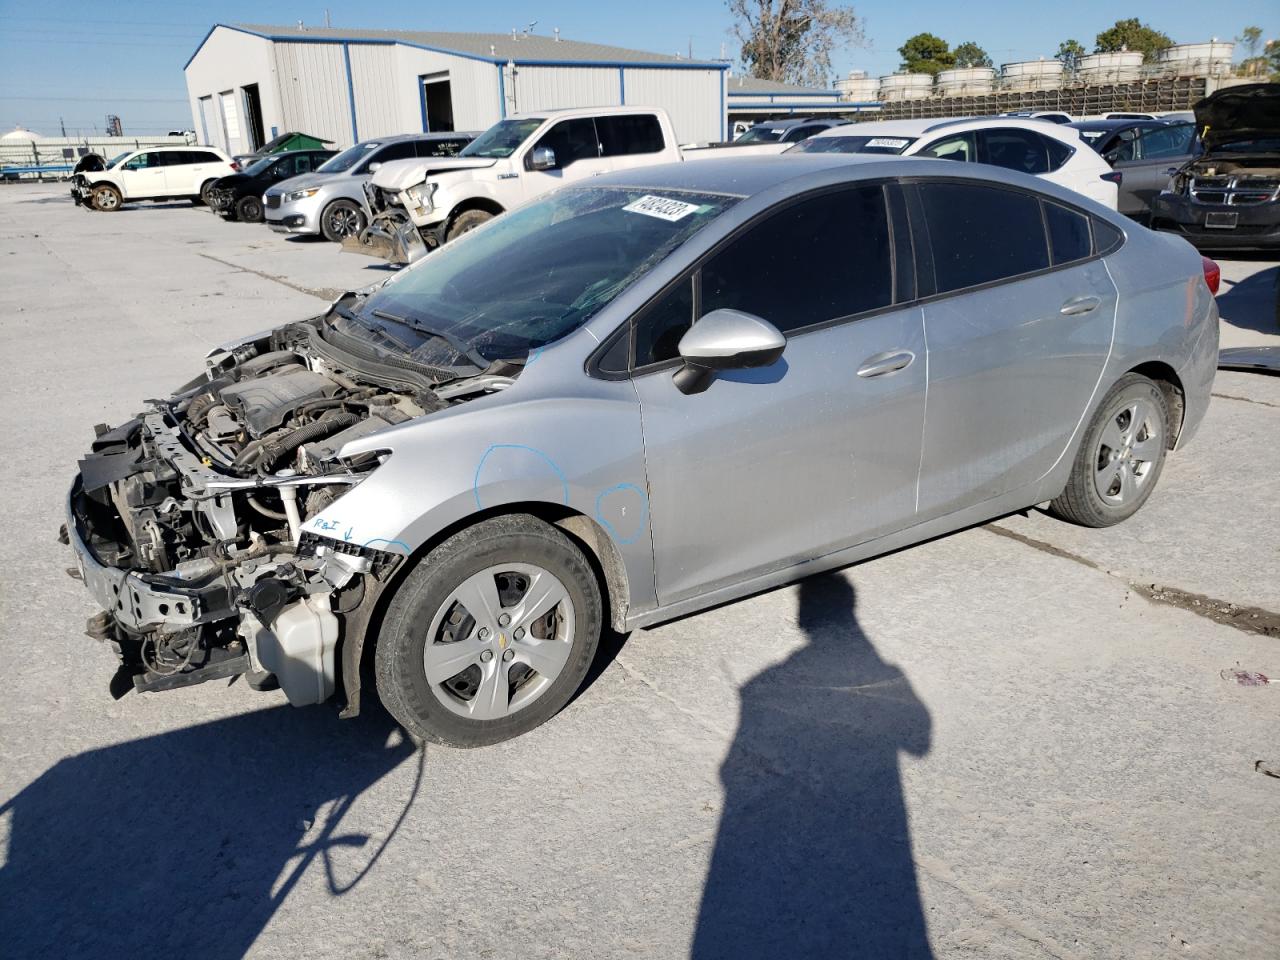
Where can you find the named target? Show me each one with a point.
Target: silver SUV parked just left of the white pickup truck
(331, 202)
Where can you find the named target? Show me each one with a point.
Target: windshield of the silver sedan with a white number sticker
(536, 275)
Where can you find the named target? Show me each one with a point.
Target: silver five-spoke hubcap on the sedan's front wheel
(500, 641)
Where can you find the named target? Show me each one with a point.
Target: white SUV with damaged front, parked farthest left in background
(153, 173)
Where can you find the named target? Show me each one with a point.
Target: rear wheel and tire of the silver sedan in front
(1131, 429)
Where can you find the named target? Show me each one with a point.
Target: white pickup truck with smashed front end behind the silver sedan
(420, 204)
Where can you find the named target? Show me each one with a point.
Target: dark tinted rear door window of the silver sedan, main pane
(980, 235)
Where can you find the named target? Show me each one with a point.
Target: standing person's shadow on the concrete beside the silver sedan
(813, 857)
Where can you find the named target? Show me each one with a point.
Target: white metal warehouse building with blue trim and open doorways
(246, 83)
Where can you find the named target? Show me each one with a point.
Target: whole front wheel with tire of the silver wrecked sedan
(496, 693)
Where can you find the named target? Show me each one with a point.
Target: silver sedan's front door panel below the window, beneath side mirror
(770, 468)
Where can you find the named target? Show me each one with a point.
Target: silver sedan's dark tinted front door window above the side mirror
(816, 260)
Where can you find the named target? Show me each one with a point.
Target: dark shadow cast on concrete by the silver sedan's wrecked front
(186, 844)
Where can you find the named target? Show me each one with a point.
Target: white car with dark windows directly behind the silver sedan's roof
(1046, 150)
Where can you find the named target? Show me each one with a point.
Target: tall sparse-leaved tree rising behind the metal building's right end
(793, 40)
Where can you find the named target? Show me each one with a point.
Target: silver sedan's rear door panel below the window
(1011, 377)
